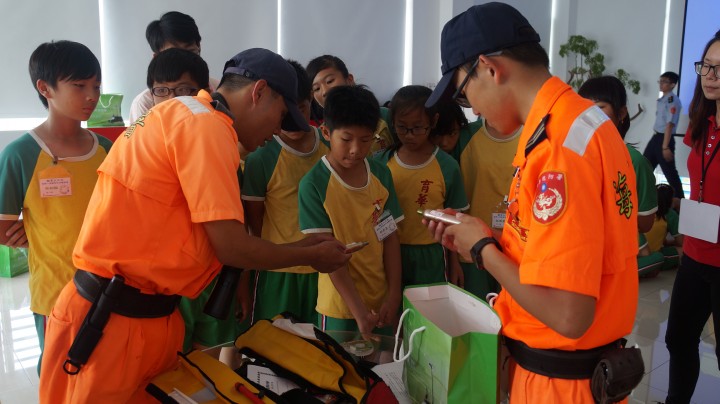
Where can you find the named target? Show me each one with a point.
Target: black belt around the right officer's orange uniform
(557, 363)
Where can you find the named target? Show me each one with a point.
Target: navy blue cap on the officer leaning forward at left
(262, 64)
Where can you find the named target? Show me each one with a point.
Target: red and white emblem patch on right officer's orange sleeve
(550, 197)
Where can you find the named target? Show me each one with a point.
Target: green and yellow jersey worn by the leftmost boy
(52, 198)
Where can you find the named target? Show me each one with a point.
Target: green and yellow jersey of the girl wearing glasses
(434, 184)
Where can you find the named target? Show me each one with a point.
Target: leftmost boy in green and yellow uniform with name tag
(48, 174)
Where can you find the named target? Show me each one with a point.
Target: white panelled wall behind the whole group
(368, 35)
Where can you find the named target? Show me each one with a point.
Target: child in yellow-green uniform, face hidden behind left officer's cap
(270, 193)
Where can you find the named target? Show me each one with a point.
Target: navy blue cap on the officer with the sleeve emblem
(480, 30)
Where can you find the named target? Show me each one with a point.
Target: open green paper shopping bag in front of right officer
(454, 358)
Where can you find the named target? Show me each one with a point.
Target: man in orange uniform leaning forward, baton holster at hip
(164, 215)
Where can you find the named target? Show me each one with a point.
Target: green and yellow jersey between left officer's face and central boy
(273, 173)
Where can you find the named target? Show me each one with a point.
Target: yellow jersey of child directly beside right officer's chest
(487, 170)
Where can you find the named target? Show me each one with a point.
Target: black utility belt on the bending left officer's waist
(130, 302)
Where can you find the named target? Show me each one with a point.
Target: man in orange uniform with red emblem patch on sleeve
(566, 259)
